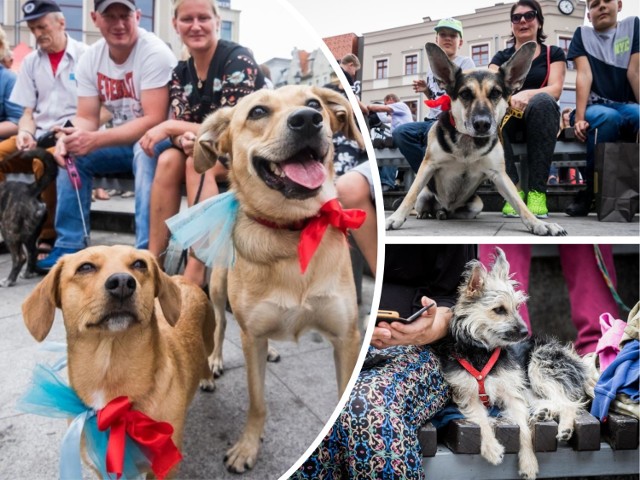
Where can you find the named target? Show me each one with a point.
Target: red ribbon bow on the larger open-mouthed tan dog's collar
(331, 213)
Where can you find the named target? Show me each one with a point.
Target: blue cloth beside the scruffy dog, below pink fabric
(619, 377)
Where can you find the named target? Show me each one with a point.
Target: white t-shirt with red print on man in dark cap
(119, 87)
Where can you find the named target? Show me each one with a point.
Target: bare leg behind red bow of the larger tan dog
(353, 192)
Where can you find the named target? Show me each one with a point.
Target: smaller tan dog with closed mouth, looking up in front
(132, 331)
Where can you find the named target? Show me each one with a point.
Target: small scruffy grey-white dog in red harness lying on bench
(531, 378)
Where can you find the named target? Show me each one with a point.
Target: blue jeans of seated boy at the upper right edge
(612, 121)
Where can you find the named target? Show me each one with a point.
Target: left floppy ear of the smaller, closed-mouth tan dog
(39, 308)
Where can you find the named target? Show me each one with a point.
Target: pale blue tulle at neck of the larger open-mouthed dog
(207, 228)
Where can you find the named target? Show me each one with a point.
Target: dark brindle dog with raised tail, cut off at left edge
(22, 215)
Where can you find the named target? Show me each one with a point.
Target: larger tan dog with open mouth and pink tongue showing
(280, 150)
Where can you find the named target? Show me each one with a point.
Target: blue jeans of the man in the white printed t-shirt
(68, 223)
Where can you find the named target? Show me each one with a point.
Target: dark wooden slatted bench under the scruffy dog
(610, 448)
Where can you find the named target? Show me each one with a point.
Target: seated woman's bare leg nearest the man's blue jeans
(165, 198)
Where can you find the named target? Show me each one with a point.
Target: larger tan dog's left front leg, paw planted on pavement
(243, 455)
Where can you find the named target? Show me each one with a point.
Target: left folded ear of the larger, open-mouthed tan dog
(212, 140)
